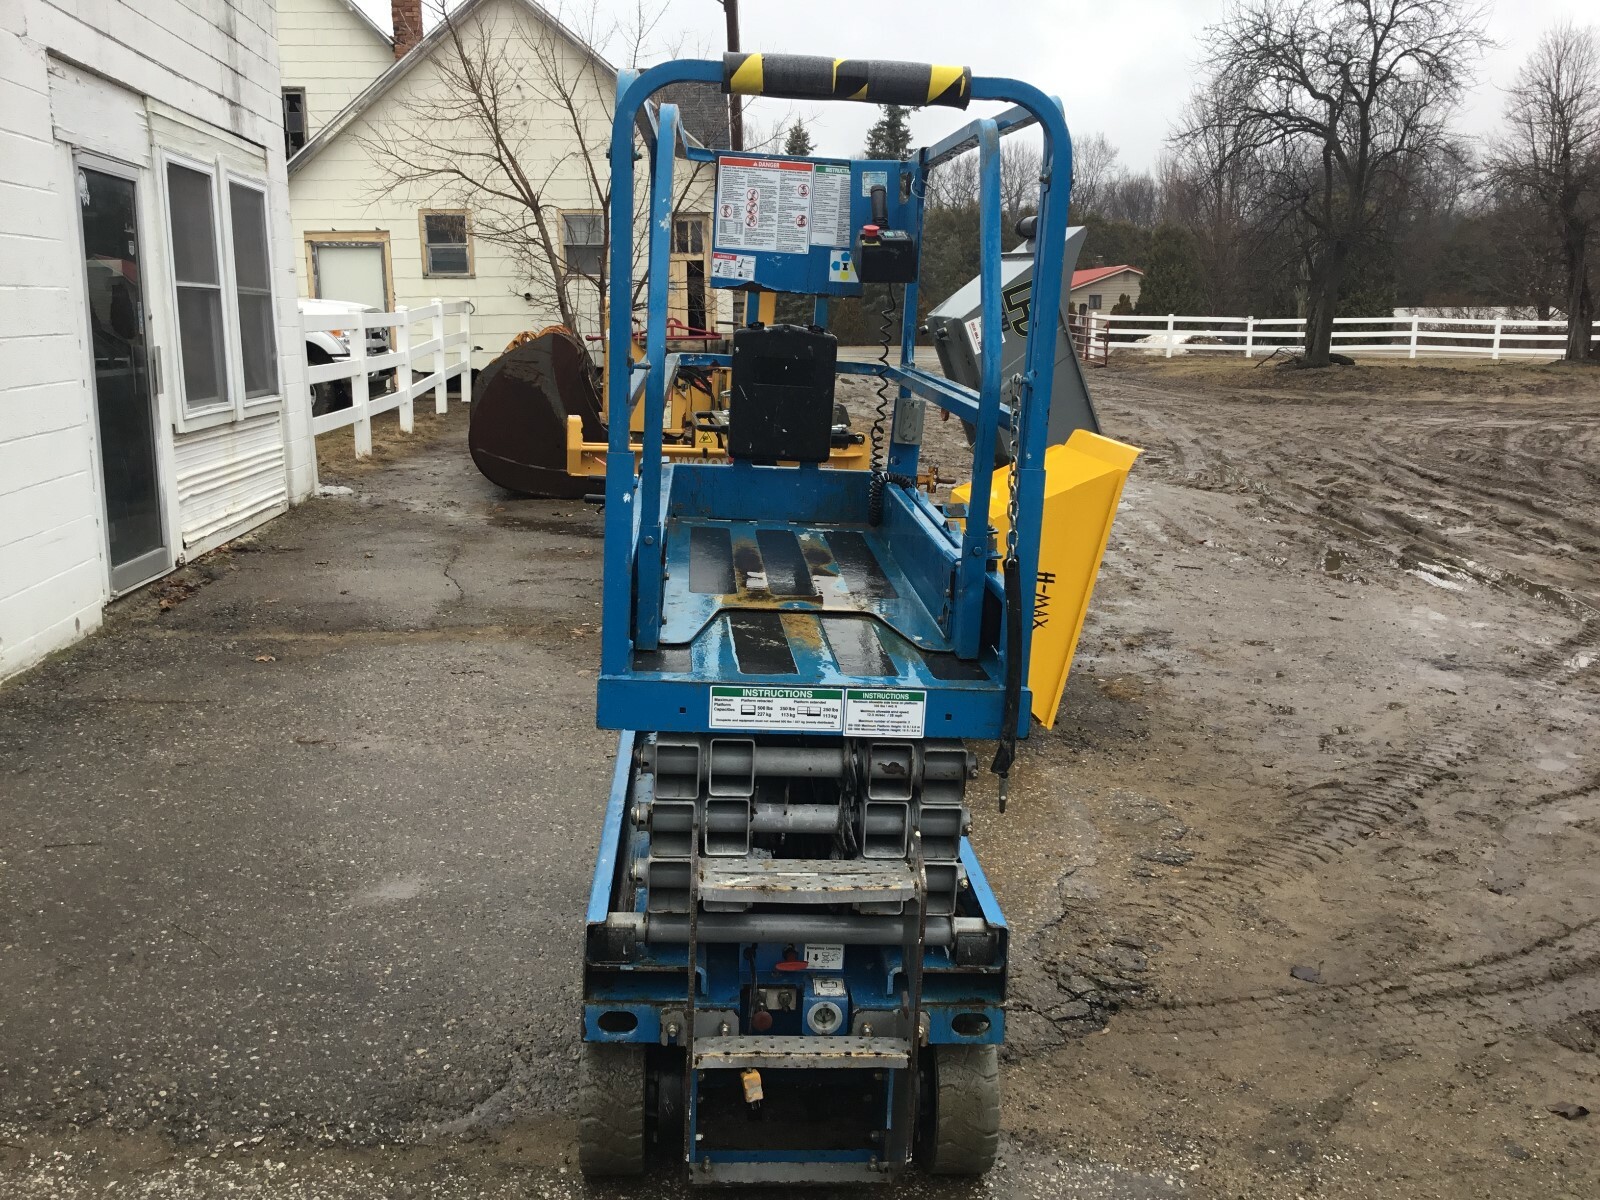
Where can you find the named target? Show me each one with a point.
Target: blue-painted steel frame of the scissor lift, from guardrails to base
(926, 550)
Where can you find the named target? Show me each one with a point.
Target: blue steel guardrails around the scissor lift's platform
(636, 503)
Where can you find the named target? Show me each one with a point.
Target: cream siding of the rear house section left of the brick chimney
(332, 52)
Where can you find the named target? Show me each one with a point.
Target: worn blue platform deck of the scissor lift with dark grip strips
(754, 599)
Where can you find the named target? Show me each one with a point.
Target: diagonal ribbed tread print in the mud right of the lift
(1332, 818)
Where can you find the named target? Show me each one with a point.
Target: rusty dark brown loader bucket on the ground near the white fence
(521, 407)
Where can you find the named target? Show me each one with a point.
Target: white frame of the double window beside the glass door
(236, 407)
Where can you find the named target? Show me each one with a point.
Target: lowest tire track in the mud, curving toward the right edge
(1532, 986)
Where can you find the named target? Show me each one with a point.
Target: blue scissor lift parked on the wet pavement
(794, 966)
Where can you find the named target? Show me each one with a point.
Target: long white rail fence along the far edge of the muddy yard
(1406, 337)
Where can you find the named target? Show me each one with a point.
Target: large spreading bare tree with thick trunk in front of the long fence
(1340, 98)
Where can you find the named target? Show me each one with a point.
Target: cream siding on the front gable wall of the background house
(342, 191)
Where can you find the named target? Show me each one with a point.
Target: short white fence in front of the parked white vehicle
(450, 358)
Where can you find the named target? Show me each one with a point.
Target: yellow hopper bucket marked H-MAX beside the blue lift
(1082, 487)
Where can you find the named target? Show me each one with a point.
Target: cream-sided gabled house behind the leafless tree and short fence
(364, 236)
